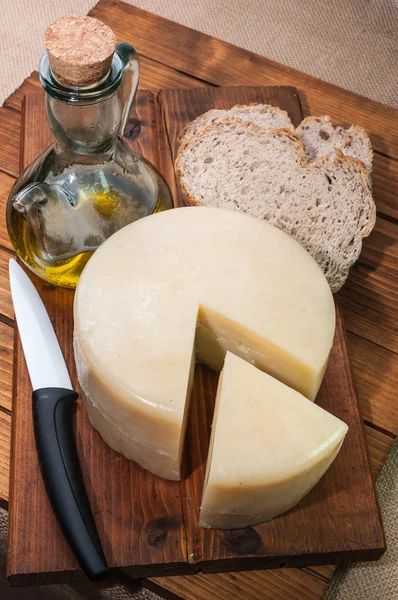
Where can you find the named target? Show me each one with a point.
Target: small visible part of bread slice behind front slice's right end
(320, 138)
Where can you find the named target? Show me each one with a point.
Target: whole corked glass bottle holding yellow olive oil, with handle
(88, 184)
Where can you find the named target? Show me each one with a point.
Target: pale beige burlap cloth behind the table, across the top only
(352, 43)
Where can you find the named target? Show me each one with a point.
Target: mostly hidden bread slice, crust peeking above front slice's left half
(262, 115)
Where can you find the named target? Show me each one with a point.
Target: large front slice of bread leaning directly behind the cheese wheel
(326, 205)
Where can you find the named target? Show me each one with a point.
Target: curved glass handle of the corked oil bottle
(131, 75)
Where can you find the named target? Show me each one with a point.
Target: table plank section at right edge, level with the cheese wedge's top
(375, 371)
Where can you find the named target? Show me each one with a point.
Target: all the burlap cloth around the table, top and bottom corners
(351, 43)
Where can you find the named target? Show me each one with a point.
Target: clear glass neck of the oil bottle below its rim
(85, 128)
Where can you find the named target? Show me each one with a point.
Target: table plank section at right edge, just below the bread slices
(369, 301)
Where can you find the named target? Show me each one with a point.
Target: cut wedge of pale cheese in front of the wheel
(269, 446)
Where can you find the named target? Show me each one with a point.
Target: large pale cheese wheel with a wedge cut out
(185, 282)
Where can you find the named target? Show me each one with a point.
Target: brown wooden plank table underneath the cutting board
(175, 56)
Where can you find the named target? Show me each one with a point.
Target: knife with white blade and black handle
(53, 402)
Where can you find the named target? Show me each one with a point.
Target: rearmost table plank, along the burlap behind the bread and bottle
(223, 64)
